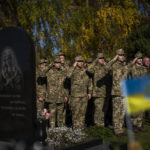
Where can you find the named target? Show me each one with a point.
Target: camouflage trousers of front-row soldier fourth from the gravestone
(99, 111)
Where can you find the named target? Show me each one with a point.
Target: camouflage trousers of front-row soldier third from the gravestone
(78, 108)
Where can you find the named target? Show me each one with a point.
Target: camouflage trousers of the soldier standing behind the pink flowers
(59, 115)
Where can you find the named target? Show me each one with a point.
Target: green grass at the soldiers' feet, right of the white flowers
(107, 134)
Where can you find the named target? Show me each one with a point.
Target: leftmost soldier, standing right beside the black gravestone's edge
(40, 86)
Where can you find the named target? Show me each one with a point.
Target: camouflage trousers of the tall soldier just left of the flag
(118, 114)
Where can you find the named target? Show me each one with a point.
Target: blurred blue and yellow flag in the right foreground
(136, 92)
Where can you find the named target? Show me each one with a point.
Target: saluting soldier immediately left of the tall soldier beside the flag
(99, 87)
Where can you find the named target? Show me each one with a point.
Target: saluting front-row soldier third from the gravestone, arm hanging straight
(81, 90)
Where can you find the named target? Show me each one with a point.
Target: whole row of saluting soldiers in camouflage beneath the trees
(59, 85)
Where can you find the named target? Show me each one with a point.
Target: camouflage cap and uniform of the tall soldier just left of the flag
(119, 71)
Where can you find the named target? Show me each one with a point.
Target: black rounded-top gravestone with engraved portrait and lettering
(17, 85)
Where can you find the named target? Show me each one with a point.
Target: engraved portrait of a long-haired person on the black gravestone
(11, 77)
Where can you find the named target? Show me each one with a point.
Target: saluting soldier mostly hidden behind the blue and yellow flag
(138, 70)
